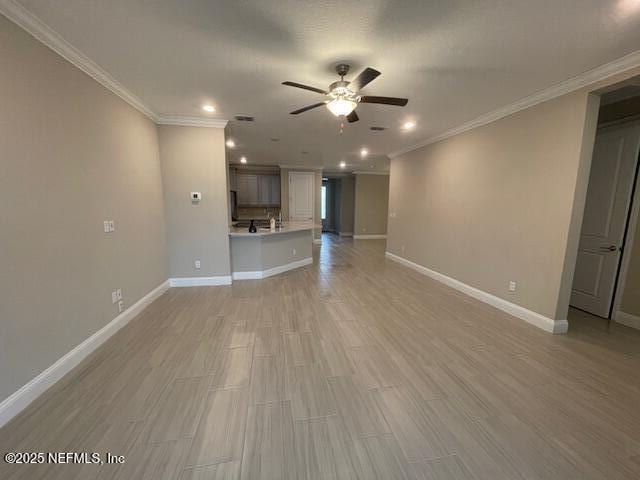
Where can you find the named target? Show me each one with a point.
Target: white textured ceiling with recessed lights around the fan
(455, 60)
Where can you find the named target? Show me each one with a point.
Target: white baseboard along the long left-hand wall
(21, 399)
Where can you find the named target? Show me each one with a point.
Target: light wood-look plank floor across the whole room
(354, 367)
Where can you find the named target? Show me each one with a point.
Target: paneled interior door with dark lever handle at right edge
(605, 217)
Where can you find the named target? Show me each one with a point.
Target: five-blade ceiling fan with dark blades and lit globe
(343, 95)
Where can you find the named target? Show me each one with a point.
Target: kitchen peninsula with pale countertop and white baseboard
(269, 252)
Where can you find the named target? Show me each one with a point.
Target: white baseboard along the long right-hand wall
(534, 318)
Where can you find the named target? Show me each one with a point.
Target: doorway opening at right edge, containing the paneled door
(606, 281)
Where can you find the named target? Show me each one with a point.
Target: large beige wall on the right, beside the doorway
(496, 203)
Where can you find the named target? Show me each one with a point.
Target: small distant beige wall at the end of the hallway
(371, 204)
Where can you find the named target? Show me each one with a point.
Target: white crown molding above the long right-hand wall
(622, 64)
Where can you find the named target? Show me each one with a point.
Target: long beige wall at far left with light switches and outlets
(72, 155)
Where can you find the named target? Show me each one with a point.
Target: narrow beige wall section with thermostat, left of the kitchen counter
(193, 160)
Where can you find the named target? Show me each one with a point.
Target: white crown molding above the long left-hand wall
(45, 34)
